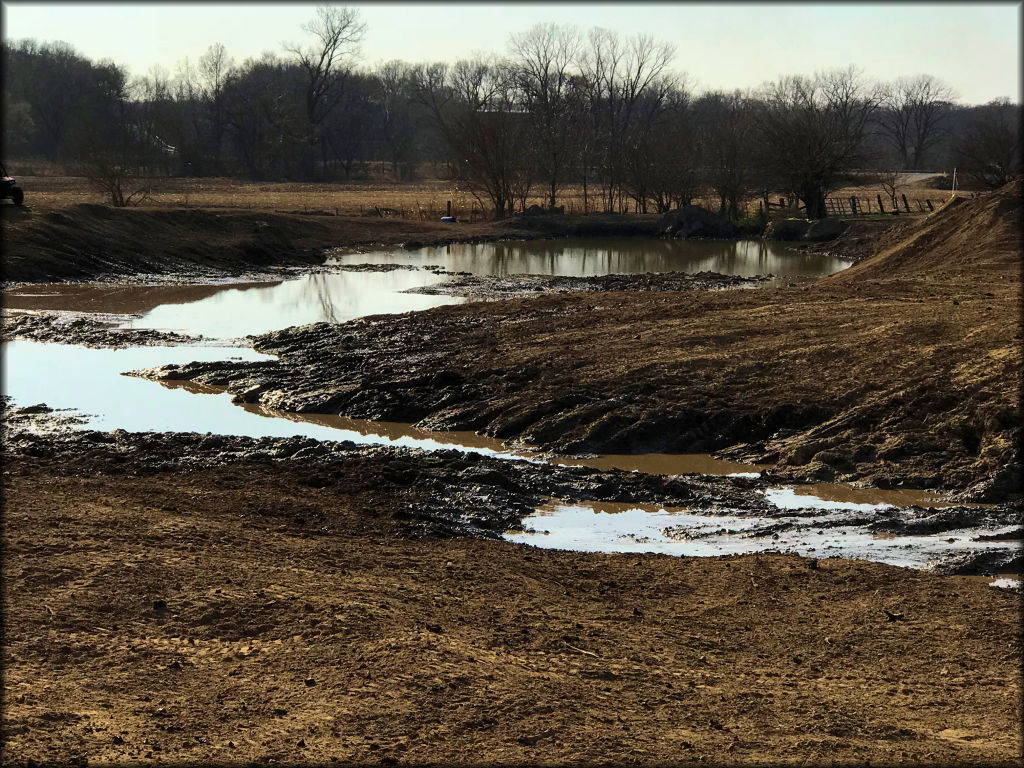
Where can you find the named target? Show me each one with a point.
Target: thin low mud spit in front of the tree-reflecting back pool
(526, 285)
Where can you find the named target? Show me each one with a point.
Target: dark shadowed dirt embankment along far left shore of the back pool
(93, 242)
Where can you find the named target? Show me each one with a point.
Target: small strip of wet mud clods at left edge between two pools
(84, 329)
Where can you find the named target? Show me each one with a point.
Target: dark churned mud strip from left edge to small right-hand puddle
(445, 493)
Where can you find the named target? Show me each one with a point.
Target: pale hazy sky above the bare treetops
(974, 48)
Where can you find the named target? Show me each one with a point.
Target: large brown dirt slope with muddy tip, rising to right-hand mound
(898, 375)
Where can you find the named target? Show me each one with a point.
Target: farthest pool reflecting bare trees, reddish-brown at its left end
(233, 310)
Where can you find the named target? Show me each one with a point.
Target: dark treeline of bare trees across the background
(598, 112)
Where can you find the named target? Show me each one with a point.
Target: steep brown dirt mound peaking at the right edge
(966, 237)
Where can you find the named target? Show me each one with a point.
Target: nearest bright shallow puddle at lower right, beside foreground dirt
(643, 528)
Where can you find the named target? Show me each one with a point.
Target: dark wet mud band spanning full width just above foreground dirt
(457, 494)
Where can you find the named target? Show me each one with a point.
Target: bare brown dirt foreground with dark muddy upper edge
(137, 628)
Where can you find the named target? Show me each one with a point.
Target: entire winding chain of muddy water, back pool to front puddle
(90, 381)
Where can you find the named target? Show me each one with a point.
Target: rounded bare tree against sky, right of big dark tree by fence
(912, 118)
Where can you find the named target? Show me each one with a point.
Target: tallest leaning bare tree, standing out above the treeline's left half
(337, 33)
